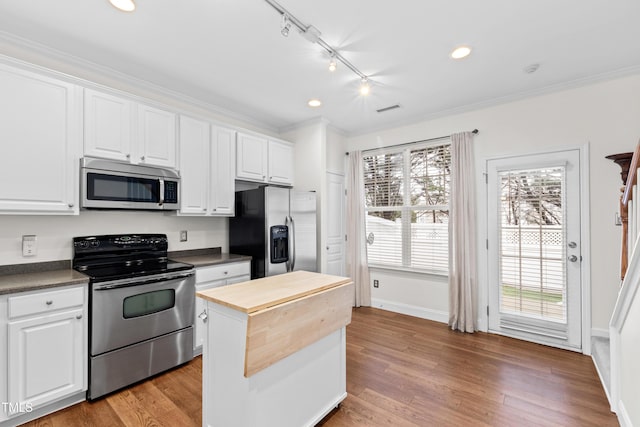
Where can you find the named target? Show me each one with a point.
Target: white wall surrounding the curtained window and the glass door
(604, 115)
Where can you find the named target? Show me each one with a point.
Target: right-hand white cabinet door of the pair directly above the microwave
(156, 137)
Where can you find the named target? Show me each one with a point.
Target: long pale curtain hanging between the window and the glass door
(462, 232)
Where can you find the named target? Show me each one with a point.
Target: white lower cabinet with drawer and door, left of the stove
(46, 358)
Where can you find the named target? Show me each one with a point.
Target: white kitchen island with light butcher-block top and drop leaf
(274, 352)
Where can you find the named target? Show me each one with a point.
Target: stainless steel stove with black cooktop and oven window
(141, 308)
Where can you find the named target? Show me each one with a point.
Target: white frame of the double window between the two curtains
(407, 208)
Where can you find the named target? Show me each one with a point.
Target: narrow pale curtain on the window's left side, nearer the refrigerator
(356, 231)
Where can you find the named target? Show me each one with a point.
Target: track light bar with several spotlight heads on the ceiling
(312, 34)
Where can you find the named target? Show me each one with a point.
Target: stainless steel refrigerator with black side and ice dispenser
(277, 227)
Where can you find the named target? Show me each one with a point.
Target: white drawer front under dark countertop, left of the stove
(47, 301)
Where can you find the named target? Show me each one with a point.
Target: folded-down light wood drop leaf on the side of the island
(280, 331)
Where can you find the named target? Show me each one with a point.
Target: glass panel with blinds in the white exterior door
(532, 249)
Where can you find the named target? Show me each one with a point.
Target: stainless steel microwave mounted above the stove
(108, 184)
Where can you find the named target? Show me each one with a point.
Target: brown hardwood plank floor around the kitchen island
(401, 371)
